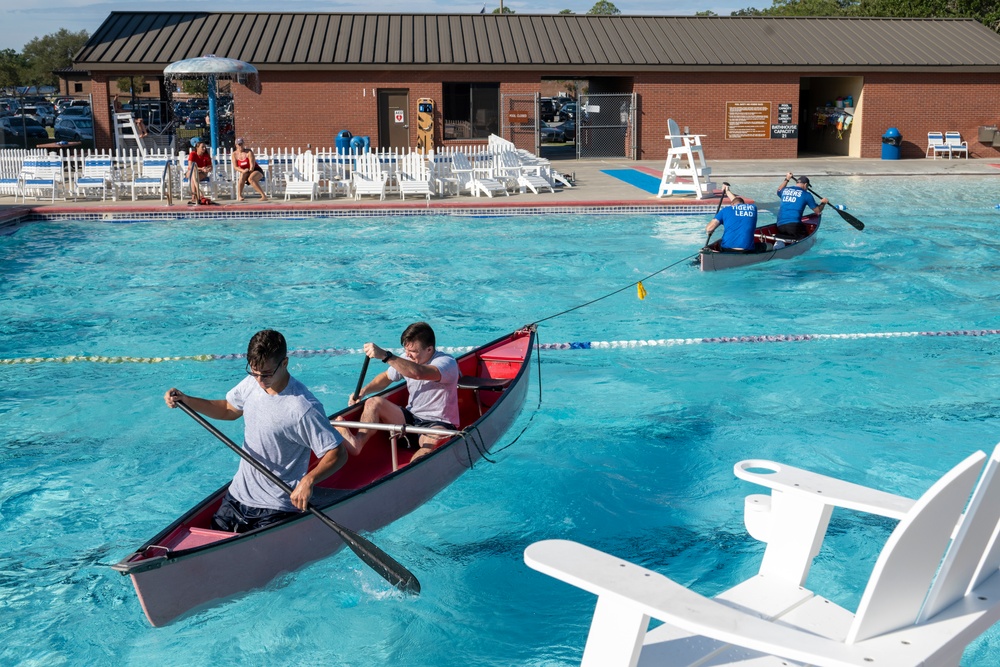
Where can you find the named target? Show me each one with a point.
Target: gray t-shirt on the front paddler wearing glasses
(279, 431)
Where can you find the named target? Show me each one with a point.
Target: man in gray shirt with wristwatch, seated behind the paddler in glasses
(432, 384)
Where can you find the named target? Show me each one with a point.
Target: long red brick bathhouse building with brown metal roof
(755, 87)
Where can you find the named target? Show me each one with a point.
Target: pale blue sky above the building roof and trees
(23, 20)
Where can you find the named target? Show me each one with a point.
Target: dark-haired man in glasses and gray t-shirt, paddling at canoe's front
(284, 422)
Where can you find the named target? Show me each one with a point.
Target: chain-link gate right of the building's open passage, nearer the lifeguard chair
(605, 126)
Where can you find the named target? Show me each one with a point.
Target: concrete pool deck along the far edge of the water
(593, 189)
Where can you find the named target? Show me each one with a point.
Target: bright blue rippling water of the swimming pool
(631, 450)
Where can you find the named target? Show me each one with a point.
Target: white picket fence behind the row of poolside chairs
(332, 170)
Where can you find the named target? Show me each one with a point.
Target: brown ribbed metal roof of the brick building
(563, 43)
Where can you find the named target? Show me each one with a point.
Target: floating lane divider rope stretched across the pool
(579, 345)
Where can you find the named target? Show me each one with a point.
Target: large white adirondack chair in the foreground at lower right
(918, 608)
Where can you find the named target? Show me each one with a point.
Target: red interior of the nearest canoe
(501, 360)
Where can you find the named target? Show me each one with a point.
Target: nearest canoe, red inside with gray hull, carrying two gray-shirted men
(188, 565)
